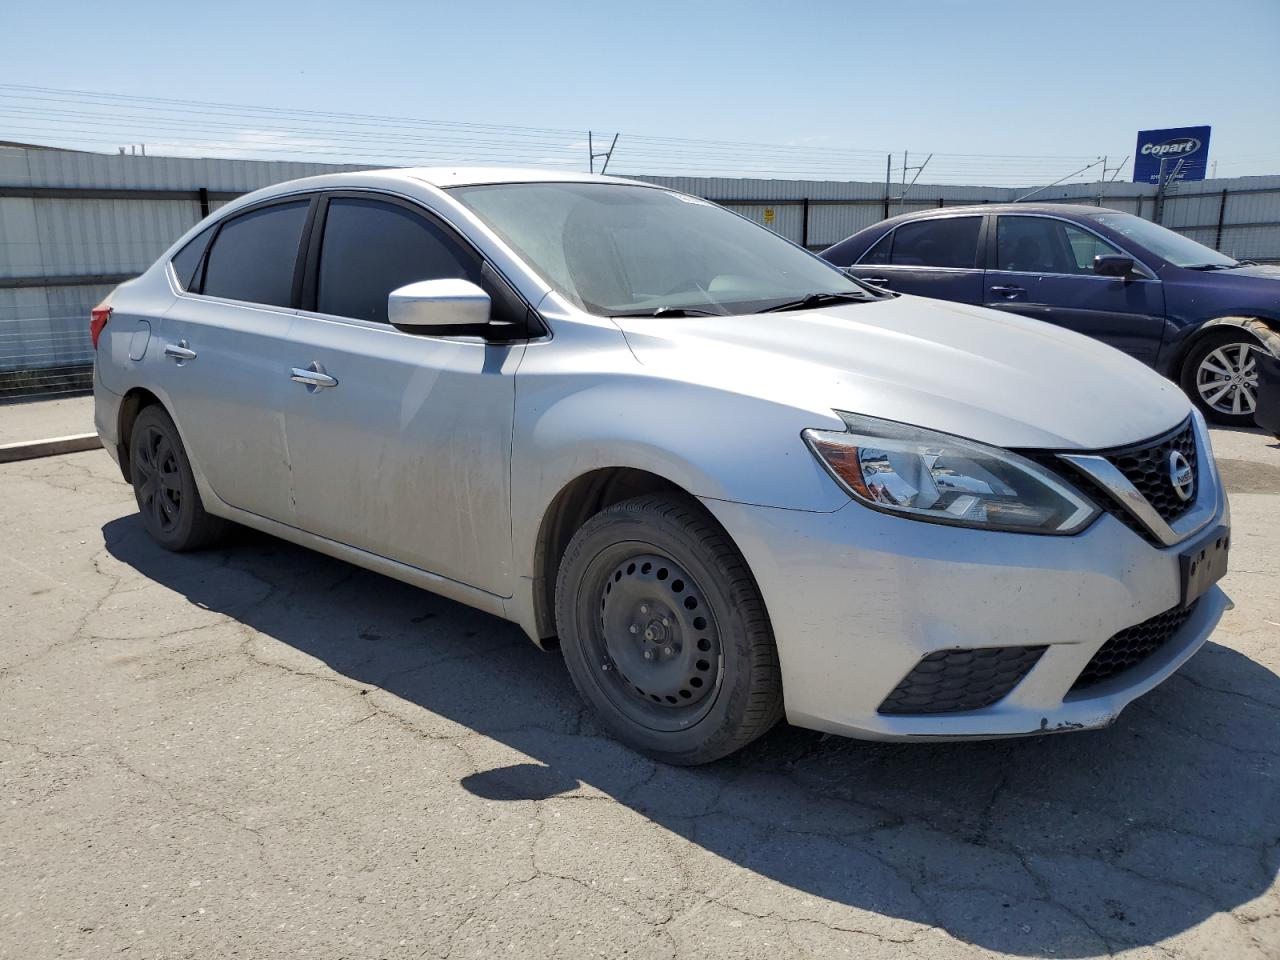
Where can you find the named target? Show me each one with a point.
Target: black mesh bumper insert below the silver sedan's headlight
(949, 682)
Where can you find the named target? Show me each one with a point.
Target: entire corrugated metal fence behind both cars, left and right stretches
(74, 226)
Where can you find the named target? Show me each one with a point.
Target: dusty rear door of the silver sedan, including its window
(225, 351)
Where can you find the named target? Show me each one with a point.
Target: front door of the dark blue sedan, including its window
(1043, 268)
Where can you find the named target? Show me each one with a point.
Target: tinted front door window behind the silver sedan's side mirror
(372, 248)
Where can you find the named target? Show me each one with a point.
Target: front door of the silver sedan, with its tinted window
(408, 454)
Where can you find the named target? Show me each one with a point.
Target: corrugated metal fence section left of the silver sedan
(74, 226)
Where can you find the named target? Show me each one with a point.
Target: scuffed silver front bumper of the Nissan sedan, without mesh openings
(857, 598)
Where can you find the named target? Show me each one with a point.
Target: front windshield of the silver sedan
(616, 249)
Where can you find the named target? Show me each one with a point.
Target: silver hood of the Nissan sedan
(964, 371)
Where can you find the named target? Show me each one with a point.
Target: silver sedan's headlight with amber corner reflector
(945, 479)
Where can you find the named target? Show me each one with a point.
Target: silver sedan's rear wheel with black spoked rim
(166, 488)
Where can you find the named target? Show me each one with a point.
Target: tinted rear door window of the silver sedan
(255, 254)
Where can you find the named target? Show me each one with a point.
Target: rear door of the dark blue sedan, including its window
(934, 258)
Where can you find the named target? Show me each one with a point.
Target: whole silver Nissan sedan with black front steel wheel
(729, 482)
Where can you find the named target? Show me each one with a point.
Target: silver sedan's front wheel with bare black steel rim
(665, 632)
